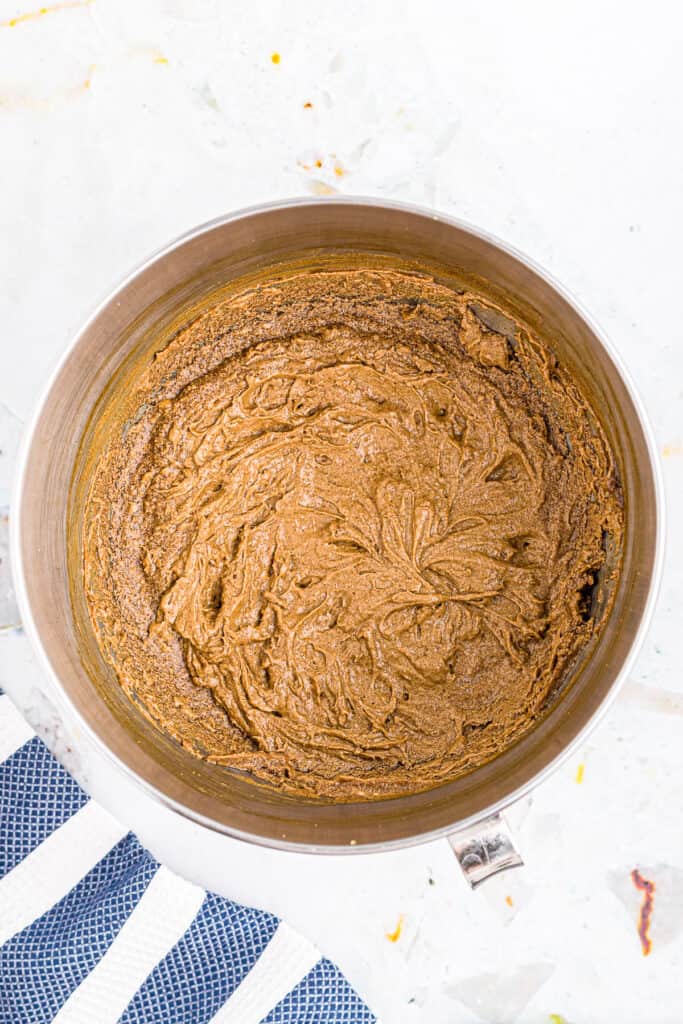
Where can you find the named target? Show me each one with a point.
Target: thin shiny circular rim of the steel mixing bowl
(568, 751)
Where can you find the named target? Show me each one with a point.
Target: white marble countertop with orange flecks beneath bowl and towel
(554, 126)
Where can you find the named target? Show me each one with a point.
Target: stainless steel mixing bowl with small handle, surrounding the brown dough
(164, 292)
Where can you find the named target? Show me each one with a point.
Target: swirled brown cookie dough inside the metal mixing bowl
(350, 539)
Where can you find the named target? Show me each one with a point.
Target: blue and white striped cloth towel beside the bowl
(94, 930)
